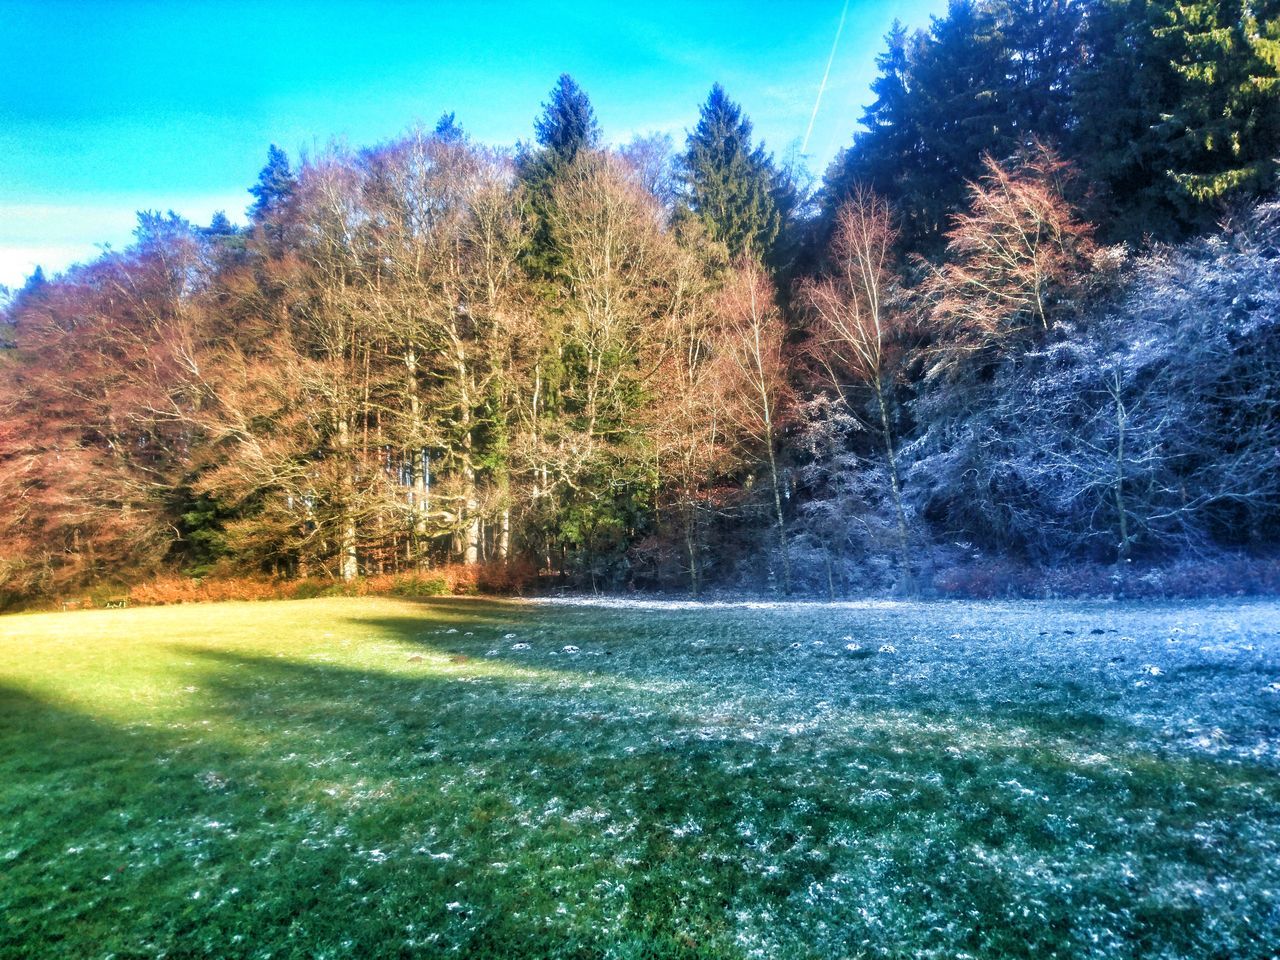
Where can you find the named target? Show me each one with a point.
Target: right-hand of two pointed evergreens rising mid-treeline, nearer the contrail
(730, 185)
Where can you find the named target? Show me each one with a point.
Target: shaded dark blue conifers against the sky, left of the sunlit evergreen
(990, 77)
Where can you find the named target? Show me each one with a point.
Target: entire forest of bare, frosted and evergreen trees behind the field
(1022, 337)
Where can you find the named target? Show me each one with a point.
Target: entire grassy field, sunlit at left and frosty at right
(381, 779)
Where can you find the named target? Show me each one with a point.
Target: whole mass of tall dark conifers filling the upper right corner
(1171, 109)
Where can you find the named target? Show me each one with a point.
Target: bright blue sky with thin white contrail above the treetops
(117, 106)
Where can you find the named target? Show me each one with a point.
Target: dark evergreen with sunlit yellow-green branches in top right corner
(1180, 111)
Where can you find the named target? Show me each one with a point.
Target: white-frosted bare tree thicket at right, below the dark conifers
(1142, 432)
